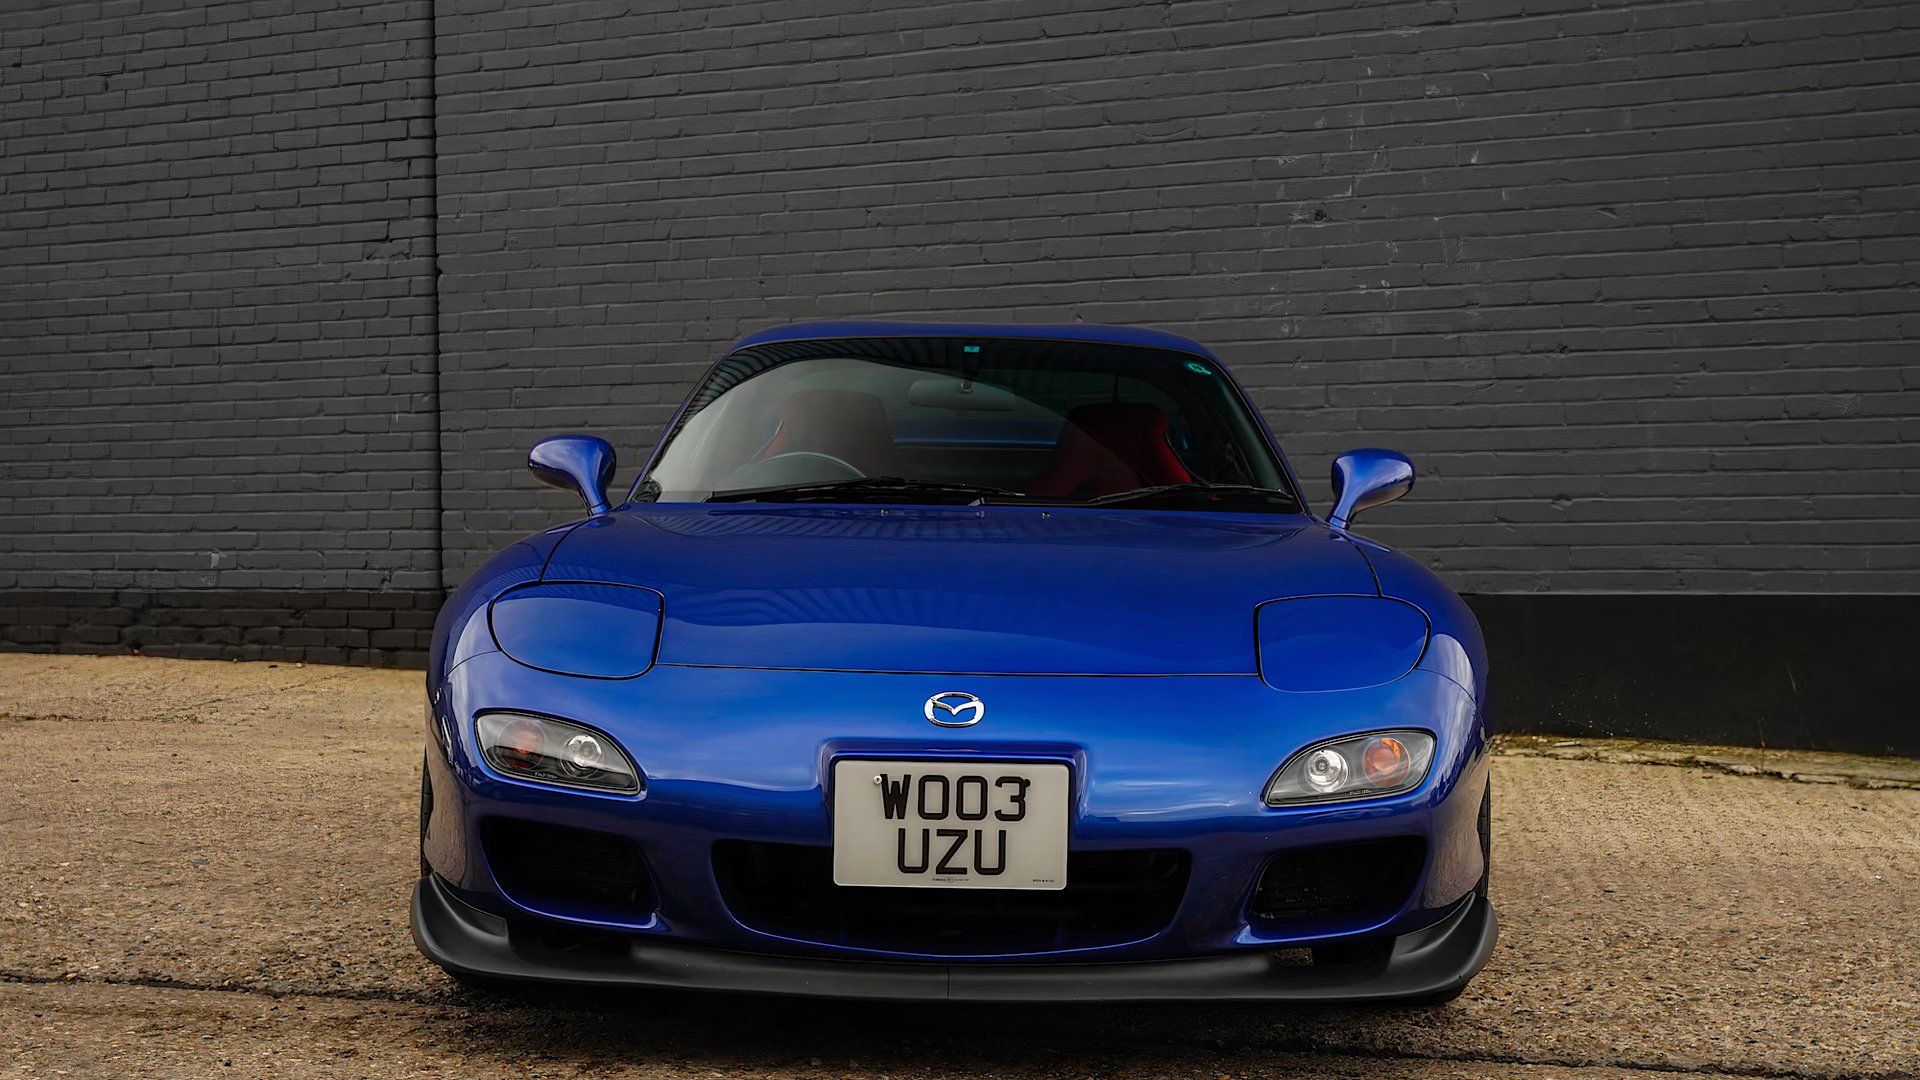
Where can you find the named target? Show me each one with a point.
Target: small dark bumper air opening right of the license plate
(1368, 879)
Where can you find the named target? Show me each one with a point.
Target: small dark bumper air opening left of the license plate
(569, 871)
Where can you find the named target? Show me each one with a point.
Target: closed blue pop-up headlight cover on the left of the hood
(588, 629)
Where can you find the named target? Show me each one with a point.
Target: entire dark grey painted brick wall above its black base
(1635, 283)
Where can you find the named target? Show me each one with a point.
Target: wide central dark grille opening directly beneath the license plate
(1111, 898)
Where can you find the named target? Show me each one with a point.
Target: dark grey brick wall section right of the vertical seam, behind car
(1633, 283)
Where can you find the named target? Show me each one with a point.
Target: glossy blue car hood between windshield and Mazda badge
(980, 591)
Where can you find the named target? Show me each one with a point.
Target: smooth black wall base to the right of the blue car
(1785, 672)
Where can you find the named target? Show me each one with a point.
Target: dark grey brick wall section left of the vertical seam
(216, 297)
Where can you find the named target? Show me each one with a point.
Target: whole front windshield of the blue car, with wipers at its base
(971, 422)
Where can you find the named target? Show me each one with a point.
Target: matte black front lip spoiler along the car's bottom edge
(1429, 962)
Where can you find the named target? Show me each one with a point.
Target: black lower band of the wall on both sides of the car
(1785, 672)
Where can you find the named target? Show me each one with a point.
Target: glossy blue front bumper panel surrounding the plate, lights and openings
(748, 756)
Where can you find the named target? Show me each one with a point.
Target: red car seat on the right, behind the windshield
(1111, 449)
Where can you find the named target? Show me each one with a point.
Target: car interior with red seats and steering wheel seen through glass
(1061, 431)
